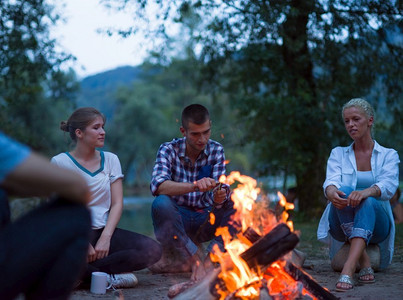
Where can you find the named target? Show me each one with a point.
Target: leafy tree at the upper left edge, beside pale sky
(32, 87)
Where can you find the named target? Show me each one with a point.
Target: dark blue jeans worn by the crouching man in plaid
(184, 227)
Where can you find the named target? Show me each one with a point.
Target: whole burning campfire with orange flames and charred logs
(256, 263)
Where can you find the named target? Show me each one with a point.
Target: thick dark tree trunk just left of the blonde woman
(301, 86)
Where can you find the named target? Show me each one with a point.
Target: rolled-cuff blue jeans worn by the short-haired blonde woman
(368, 221)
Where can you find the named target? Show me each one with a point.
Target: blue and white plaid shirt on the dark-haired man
(173, 164)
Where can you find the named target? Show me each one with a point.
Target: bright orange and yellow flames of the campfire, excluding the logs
(240, 280)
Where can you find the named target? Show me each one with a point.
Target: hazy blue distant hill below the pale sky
(99, 90)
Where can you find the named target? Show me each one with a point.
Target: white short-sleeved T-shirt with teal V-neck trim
(99, 183)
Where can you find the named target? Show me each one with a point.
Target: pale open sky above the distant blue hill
(95, 52)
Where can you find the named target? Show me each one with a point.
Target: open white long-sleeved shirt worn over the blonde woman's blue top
(342, 171)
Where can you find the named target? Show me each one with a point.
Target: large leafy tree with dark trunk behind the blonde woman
(290, 65)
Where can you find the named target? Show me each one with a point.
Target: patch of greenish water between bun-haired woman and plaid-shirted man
(136, 215)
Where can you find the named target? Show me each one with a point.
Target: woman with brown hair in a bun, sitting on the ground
(112, 250)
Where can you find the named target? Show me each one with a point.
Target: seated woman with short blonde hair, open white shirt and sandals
(360, 180)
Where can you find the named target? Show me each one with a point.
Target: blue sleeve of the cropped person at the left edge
(12, 154)
